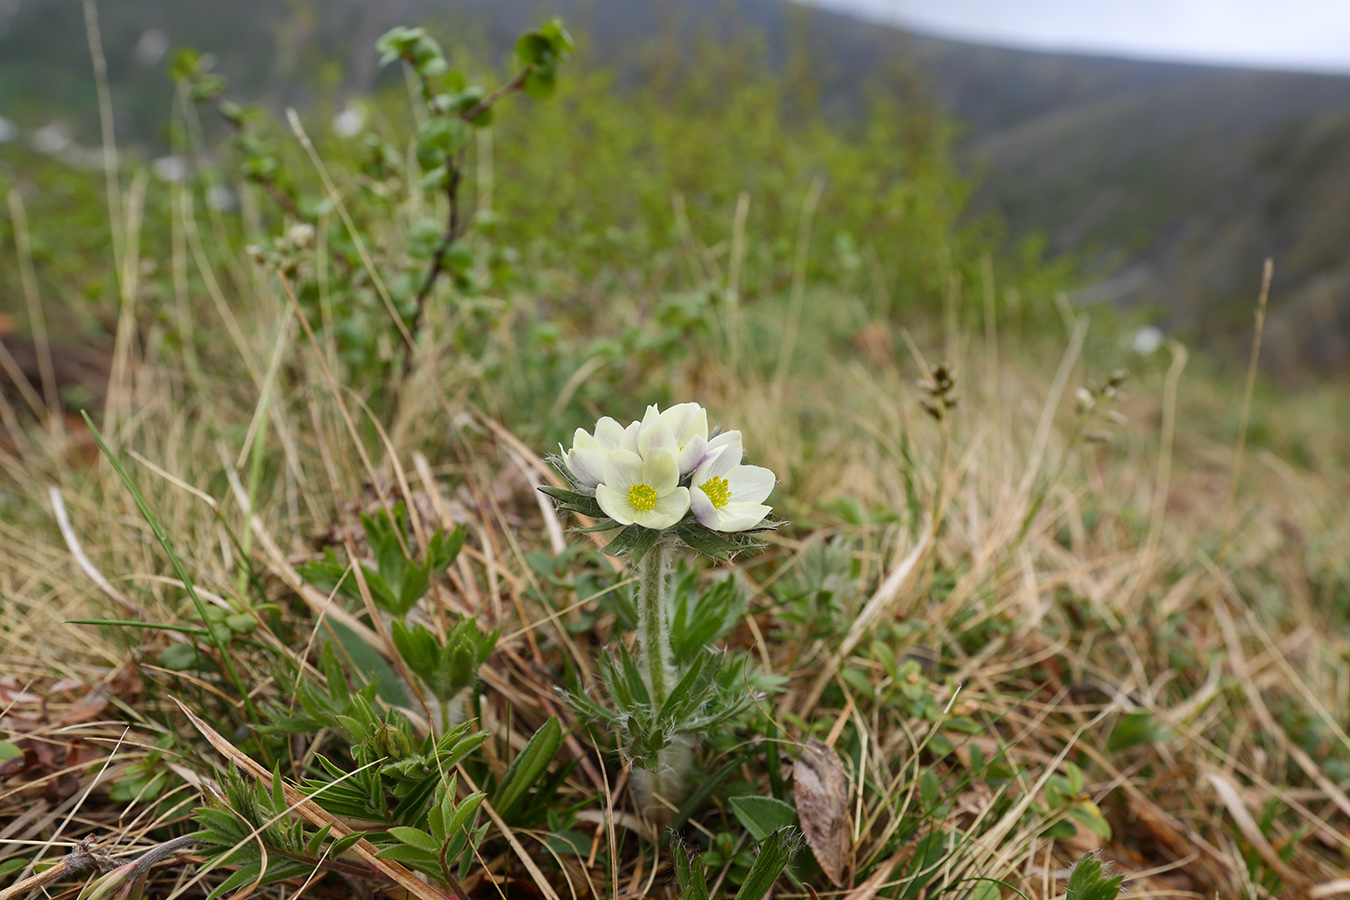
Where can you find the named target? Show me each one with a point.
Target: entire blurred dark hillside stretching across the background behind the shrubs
(1171, 183)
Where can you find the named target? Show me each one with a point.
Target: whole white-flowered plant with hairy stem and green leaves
(666, 484)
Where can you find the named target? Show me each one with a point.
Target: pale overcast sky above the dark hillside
(1293, 34)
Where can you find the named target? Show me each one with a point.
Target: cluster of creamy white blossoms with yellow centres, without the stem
(665, 468)
